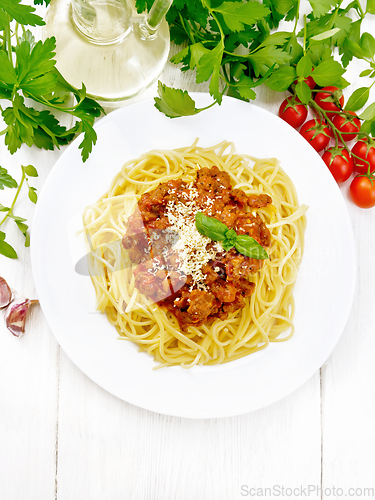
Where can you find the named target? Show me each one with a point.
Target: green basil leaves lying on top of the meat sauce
(218, 231)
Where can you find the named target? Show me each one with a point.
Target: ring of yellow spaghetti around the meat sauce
(269, 311)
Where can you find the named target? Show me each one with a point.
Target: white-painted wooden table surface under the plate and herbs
(64, 438)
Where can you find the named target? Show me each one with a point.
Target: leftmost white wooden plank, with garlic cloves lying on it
(28, 365)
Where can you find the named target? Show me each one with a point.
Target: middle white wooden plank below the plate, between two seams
(109, 449)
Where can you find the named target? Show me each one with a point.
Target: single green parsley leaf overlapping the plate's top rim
(174, 102)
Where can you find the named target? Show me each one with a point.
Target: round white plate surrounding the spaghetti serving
(324, 289)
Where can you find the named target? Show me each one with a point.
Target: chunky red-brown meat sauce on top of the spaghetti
(226, 277)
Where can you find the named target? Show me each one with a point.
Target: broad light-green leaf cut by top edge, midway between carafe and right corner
(237, 14)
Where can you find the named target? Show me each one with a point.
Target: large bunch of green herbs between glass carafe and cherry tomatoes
(232, 45)
